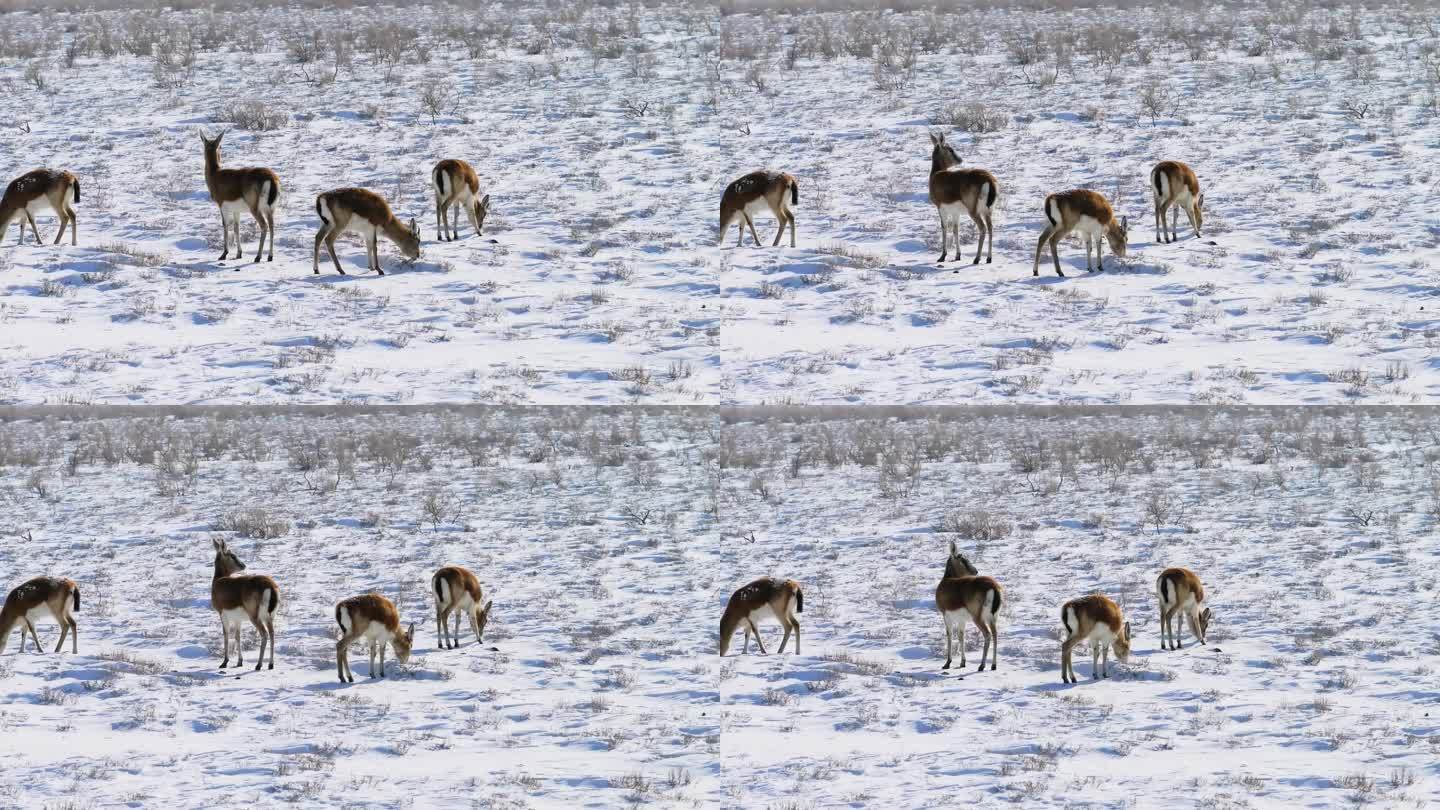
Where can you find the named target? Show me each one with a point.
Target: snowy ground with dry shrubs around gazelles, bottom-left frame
(593, 533)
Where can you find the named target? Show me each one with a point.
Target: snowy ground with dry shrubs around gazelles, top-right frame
(1313, 133)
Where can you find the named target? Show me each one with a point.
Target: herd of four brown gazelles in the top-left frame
(256, 191)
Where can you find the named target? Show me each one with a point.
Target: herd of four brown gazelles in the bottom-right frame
(964, 596)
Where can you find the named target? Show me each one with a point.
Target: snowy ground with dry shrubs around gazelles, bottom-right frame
(1314, 533)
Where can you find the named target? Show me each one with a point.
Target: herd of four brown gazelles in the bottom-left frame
(240, 597)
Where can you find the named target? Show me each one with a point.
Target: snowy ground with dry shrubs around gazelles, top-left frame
(588, 130)
